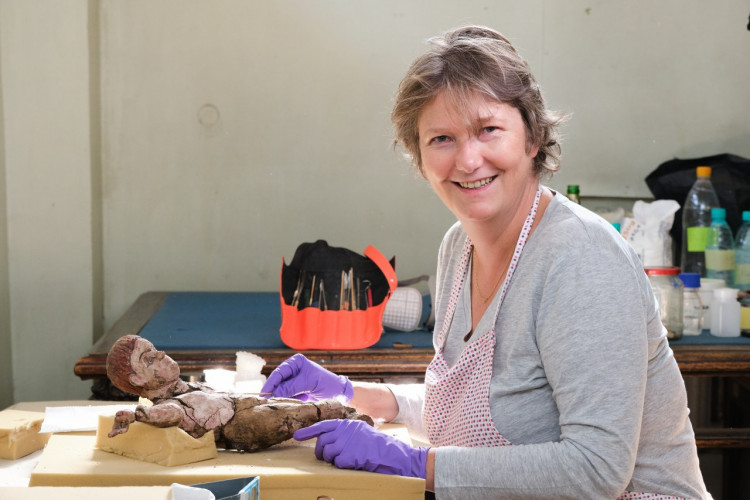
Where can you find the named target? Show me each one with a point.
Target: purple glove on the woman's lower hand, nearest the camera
(353, 444)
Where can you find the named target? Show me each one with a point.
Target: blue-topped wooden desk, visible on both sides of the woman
(204, 330)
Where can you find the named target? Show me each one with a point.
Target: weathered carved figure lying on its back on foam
(239, 421)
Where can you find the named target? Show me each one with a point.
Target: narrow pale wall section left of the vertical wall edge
(48, 194)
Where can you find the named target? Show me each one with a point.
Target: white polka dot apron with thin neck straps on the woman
(457, 403)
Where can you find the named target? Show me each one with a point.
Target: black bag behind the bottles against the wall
(730, 175)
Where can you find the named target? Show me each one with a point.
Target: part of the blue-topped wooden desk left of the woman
(204, 330)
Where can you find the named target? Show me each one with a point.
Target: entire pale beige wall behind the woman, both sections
(178, 145)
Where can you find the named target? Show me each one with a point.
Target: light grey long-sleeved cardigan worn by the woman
(584, 385)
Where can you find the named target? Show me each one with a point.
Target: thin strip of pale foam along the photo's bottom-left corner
(88, 493)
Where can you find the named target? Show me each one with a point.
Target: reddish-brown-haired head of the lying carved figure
(135, 366)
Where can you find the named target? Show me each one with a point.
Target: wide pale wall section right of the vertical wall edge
(235, 131)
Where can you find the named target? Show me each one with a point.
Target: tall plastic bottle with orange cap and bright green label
(696, 221)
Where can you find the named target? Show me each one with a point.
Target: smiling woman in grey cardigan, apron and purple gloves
(582, 377)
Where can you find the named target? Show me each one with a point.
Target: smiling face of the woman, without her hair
(476, 159)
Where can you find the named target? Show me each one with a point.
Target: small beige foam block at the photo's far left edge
(19, 433)
